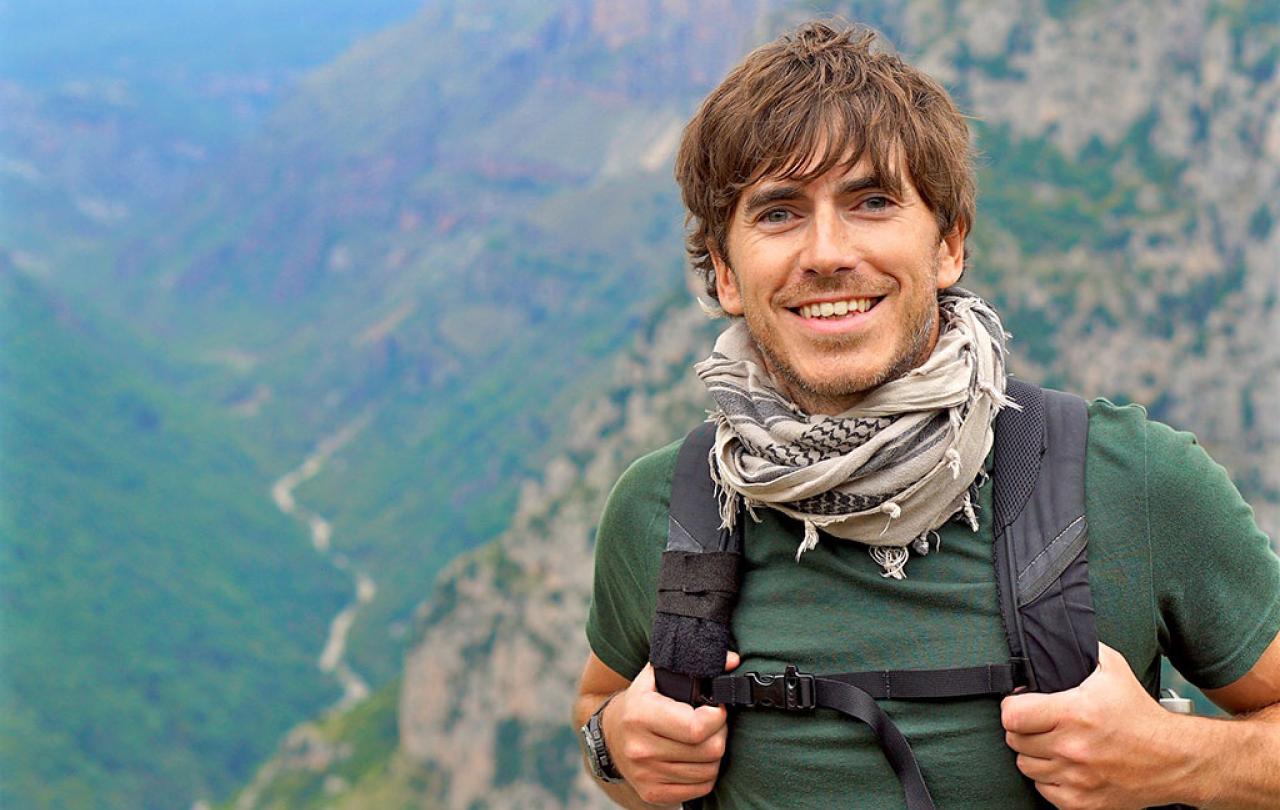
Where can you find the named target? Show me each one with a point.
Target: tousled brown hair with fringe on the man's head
(824, 95)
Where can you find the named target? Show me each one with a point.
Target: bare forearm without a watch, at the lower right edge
(1231, 765)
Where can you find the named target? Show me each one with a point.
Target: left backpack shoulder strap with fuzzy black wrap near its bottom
(698, 580)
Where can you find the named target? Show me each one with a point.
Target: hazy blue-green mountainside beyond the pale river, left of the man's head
(442, 242)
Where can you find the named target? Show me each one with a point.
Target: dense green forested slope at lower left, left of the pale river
(161, 619)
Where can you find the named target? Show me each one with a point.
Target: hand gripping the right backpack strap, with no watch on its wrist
(1095, 745)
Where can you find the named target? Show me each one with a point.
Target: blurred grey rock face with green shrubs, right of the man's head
(1181, 314)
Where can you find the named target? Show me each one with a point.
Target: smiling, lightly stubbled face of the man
(838, 280)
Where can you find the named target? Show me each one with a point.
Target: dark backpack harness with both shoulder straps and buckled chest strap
(1040, 538)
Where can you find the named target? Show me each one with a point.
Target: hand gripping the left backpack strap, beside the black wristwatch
(668, 750)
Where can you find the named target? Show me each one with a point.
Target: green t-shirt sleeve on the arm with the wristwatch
(629, 546)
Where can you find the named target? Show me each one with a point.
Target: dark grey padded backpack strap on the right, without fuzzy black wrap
(1041, 536)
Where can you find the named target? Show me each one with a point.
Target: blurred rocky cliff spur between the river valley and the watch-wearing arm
(488, 690)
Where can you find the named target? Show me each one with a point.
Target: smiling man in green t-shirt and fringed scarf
(830, 194)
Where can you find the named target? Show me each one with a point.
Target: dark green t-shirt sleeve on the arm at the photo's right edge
(1217, 575)
